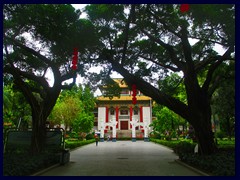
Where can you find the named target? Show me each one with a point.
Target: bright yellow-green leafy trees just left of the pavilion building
(74, 108)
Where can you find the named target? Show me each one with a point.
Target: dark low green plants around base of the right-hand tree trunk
(221, 163)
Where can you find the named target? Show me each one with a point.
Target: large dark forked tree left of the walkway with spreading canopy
(39, 39)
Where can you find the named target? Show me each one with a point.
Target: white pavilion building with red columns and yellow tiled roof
(118, 117)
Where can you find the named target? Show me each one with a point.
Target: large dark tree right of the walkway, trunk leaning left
(144, 42)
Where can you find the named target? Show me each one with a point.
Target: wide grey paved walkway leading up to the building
(122, 158)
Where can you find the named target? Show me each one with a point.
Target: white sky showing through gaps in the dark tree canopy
(217, 48)
